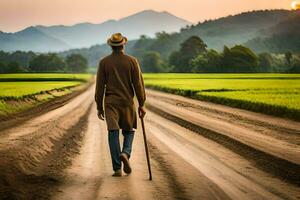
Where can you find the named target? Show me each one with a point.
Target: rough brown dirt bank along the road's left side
(33, 154)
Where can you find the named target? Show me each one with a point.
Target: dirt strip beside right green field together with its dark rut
(271, 143)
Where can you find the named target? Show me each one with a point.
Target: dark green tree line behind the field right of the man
(194, 56)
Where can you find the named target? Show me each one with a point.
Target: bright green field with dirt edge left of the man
(19, 92)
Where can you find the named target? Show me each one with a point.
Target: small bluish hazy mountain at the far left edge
(30, 39)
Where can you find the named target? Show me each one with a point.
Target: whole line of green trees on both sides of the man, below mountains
(191, 56)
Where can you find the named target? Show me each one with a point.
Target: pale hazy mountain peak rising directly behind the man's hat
(147, 22)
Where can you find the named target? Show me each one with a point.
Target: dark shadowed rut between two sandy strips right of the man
(284, 169)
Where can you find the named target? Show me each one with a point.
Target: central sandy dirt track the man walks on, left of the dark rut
(185, 166)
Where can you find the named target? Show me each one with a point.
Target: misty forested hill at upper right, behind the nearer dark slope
(237, 29)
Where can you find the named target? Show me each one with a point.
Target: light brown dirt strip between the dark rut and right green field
(273, 135)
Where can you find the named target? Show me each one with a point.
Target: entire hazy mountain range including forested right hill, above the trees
(275, 31)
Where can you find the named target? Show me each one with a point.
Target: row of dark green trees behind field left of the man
(20, 62)
